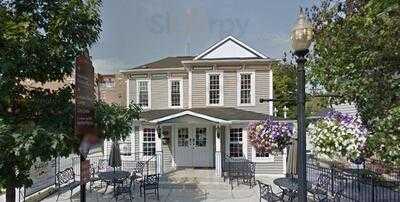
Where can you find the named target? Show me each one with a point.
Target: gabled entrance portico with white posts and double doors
(192, 139)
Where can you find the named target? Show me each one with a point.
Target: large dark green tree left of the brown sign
(39, 41)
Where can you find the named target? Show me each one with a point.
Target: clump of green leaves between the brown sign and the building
(115, 121)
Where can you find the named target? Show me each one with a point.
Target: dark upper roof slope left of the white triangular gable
(168, 62)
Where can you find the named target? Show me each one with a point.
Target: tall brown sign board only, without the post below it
(84, 96)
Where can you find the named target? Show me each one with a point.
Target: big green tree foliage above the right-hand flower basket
(356, 54)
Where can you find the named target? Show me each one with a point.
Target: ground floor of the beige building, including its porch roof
(195, 138)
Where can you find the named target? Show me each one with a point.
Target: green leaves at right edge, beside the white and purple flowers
(385, 142)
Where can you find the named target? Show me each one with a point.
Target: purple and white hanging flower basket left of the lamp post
(270, 136)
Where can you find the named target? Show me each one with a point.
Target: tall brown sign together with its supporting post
(84, 112)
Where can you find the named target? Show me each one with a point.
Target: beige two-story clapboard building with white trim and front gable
(197, 108)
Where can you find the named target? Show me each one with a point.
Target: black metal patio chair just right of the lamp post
(321, 188)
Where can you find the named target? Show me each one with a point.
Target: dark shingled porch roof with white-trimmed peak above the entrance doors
(214, 114)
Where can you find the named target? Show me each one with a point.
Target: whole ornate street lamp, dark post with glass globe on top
(301, 36)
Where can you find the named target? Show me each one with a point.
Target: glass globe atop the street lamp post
(302, 33)
